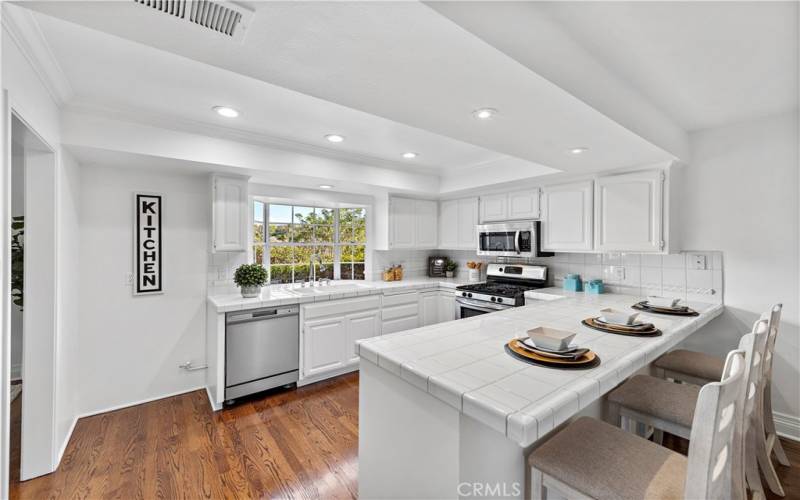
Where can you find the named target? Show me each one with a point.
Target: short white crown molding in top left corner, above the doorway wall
(24, 30)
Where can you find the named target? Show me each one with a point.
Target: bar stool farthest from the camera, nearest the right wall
(699, 368)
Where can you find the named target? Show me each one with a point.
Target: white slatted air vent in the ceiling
(225, 18)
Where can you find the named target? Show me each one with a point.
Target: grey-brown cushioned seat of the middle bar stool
(659, 398)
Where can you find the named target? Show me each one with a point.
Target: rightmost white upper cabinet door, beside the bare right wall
(629, 212)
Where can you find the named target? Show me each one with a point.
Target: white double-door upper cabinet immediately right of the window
(413, 223)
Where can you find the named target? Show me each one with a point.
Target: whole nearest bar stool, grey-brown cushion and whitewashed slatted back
(593, 459)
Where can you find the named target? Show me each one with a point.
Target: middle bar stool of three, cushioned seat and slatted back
(668, 406)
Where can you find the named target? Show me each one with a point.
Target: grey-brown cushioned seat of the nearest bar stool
(602, 461)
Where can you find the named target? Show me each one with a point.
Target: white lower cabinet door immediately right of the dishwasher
(325, 341)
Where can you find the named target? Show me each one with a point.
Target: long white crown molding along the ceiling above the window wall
(162, 120)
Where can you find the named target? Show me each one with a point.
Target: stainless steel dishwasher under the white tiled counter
(262, 350)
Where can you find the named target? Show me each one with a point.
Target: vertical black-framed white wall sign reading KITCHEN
(147, 243)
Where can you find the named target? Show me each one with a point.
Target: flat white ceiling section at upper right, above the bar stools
(705, 64)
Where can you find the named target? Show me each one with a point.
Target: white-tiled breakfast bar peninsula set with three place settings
(445, 412)
